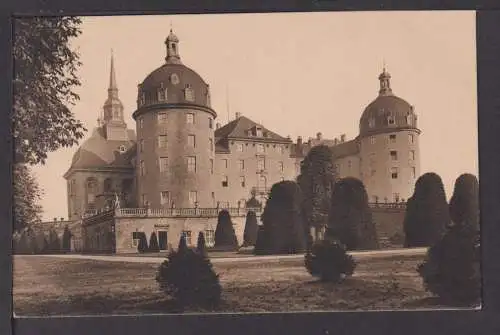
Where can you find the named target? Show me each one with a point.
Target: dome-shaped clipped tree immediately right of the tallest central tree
(350, 219)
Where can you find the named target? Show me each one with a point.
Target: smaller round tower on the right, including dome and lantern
(389, 151)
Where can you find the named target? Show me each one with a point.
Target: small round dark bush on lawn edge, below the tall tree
(329, 261)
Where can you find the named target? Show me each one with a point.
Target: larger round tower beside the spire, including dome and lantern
(175, 136)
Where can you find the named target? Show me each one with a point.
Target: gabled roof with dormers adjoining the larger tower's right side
(240, 127)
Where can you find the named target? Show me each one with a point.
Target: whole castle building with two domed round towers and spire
(183, 158)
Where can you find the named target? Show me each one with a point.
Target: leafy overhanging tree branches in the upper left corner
(45, 74)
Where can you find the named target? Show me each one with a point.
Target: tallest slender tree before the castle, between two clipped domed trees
(316, 180)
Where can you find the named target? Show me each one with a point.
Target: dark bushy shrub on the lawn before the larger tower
(188, 277)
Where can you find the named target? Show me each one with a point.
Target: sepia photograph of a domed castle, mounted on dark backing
(245, 163)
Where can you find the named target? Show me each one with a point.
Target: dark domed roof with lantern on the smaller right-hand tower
(388, 112)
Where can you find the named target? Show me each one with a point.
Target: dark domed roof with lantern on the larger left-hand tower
(173, 82)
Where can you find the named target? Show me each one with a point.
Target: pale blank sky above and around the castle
(296, 73)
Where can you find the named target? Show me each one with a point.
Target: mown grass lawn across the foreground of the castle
(54, 286)
